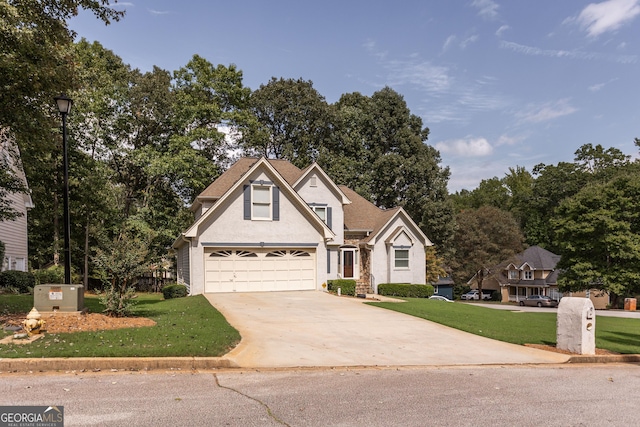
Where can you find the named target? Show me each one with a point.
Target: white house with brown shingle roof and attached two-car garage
(266, 225)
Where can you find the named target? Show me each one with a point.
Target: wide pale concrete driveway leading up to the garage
(311, 328)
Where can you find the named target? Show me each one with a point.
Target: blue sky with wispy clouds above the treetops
(499, 83)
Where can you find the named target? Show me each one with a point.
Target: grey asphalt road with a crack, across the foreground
(550, 395)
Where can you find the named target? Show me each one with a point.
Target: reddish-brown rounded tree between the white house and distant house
(484, 238)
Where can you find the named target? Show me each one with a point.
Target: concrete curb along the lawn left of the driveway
(114, 363)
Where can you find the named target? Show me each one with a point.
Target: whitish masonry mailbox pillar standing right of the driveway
(576, 325)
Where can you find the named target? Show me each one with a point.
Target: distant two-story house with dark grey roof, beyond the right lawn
(532, 272)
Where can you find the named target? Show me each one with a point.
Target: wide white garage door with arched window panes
(255, 270)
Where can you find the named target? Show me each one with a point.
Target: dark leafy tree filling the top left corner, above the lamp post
(36, 63)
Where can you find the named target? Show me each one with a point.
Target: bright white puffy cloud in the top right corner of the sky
(609, 15)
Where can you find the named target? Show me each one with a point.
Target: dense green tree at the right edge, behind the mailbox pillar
(598, 233)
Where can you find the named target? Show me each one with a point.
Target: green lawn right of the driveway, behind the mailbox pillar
(615, 334)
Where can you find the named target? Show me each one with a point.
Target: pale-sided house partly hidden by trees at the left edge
(14, 233)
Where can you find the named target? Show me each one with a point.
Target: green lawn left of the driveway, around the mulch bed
(185, 327)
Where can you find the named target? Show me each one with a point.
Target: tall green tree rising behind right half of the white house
(379, 149)
